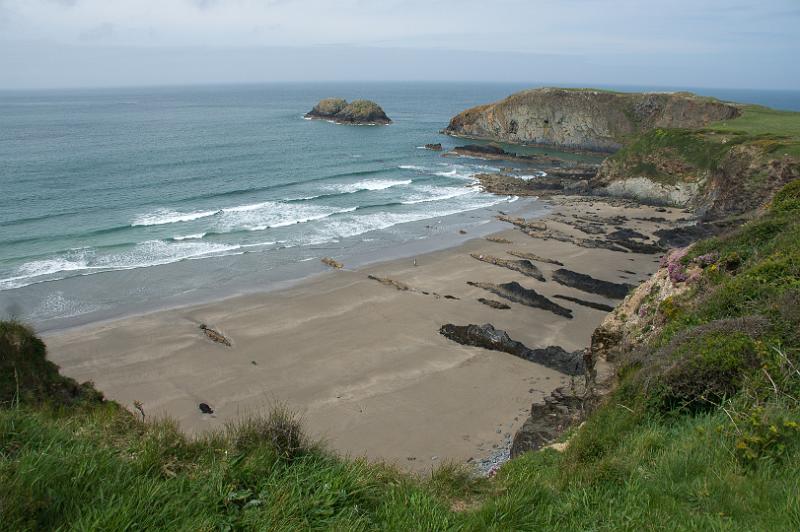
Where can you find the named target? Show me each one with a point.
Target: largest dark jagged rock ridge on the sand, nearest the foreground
(488, 337)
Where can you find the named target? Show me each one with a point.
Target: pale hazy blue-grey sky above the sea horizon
(671, 43)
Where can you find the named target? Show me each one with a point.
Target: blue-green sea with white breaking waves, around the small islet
(120, 201)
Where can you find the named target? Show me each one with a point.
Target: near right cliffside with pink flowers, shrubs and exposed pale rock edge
(713, 331)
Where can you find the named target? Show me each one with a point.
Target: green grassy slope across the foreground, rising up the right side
(702, 433)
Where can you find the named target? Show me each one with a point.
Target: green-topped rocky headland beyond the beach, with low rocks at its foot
(680, 149)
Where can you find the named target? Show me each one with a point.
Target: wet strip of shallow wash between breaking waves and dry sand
(445, 235)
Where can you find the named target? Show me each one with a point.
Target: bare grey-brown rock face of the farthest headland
(585, 119)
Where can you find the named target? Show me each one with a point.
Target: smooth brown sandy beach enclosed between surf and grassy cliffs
(363, 361)
